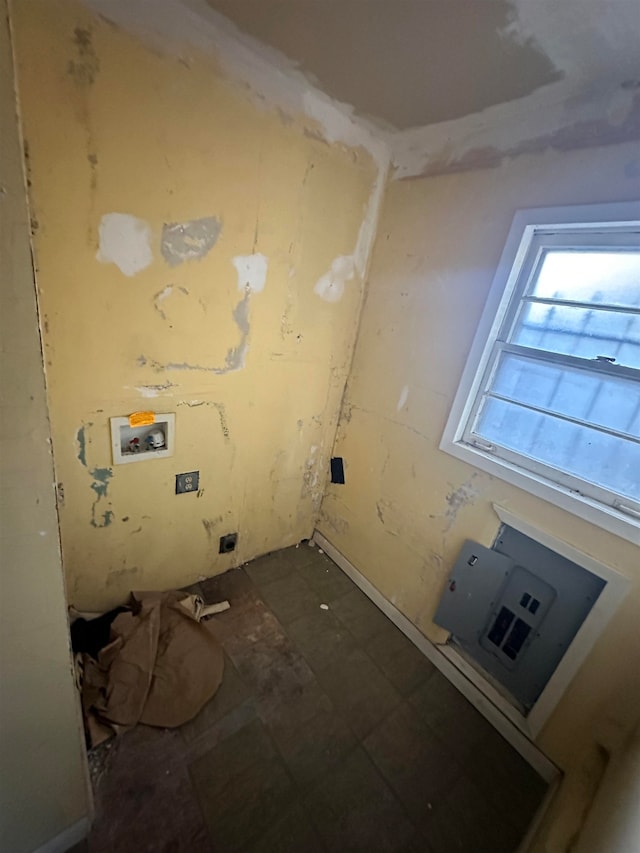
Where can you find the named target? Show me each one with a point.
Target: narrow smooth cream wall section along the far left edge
(42, 785)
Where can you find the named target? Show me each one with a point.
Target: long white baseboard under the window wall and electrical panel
(443, 661)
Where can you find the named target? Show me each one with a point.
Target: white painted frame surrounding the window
(623, 520)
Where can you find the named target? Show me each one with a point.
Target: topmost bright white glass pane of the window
(612, 278)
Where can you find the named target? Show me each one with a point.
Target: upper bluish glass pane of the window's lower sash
(595, 397)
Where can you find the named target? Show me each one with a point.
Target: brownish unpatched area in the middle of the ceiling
(461, 40)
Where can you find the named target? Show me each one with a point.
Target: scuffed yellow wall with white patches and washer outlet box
(179, 234)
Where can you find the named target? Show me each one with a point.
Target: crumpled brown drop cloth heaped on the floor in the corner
(160, 666)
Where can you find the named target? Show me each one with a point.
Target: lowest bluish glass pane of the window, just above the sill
(596, 457)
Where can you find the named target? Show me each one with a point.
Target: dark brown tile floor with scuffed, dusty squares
(330, 732)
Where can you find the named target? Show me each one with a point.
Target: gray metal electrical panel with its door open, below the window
(515, 608)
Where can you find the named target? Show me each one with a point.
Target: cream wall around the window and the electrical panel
(406, 507)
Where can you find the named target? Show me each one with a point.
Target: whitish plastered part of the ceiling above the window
(592, 101)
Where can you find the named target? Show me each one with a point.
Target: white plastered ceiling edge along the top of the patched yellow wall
(172, 26)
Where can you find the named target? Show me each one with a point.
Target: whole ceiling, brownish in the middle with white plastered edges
(429, 85)
